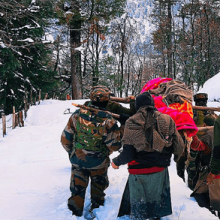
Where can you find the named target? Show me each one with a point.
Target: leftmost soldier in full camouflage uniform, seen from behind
(89, 137)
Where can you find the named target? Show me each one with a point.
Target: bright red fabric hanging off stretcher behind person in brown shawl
(182, 120)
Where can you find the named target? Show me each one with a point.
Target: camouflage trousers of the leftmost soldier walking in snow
(79, 182)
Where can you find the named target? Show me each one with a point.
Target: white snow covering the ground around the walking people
(35, 172)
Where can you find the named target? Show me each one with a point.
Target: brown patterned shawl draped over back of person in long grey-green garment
(138, 126)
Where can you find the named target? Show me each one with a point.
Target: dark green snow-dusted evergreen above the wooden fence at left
(23, 51)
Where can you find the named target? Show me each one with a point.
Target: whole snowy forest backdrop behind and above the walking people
(59, 47)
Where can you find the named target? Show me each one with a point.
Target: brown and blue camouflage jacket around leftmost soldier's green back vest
(86, 158)
